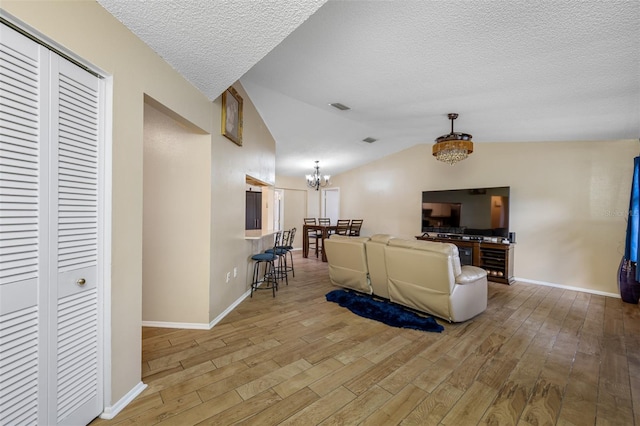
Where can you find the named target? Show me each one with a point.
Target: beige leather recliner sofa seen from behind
(422, 275)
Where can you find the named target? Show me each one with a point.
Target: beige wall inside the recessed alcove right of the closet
(176, 221)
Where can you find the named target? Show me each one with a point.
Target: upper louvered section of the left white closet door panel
(19, 158)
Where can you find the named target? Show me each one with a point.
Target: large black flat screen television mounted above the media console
(473, 211)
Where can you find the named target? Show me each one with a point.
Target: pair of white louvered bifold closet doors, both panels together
(49, 231)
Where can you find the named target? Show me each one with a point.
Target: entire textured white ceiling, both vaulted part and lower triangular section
(514, 71)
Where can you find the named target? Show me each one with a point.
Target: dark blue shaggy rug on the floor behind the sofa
(386, 312)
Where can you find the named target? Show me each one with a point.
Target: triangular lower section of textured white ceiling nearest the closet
(212, 43)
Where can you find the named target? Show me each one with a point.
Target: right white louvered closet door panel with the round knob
(74, 225)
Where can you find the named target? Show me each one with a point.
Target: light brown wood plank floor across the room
(537, 356)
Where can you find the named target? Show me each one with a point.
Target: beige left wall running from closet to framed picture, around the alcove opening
(91, 33)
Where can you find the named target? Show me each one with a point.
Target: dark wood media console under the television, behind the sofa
(495, 257)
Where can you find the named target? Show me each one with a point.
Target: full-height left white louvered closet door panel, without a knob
(22, 305)
